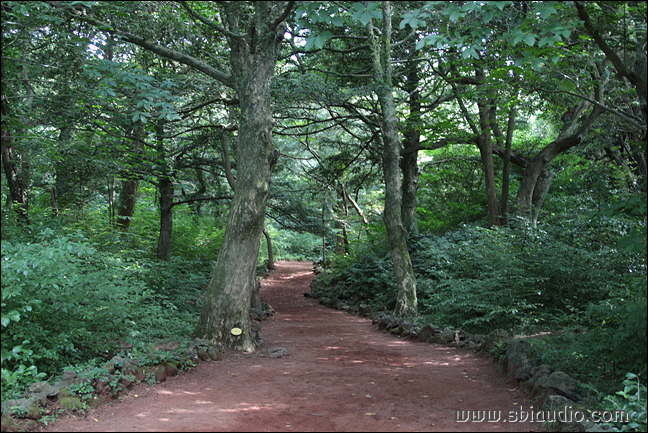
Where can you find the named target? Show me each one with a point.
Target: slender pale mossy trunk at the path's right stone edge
(396, 233)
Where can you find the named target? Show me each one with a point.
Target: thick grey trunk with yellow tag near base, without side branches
(253, 60)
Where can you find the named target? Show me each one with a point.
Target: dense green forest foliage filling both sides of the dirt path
(522, 136)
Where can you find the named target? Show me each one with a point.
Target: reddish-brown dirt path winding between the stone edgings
(342, 375)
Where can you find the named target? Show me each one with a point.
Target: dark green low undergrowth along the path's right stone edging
(524, 280)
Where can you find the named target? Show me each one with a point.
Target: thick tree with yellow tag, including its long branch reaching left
(254, 34)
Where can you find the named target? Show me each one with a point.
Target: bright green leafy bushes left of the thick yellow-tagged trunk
(64, 302)
